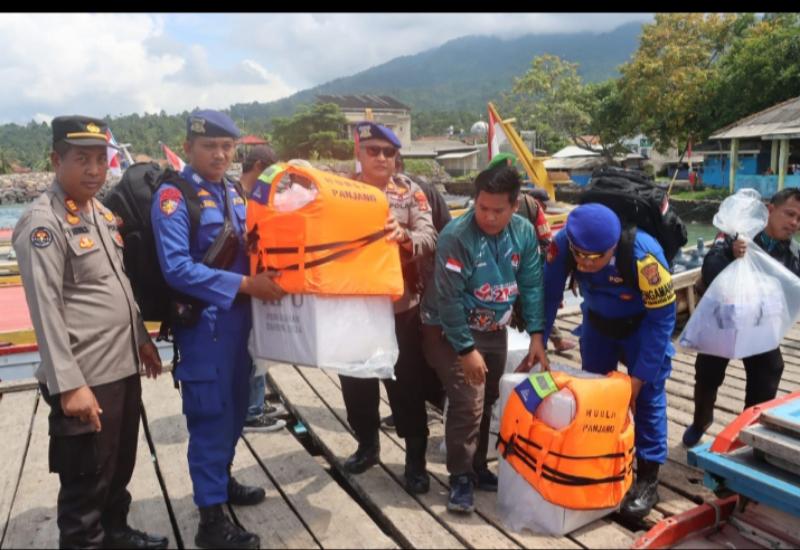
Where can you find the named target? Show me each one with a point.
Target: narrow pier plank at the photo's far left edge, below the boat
(16, 419)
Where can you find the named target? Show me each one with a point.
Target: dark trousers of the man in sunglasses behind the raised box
(406, 394)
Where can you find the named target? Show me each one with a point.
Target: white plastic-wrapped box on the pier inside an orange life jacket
(519, 505)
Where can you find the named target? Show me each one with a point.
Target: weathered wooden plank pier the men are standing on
(311, 502)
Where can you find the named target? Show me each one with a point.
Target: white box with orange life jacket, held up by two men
(323, 235)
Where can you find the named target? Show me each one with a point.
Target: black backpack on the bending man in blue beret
(639, 203)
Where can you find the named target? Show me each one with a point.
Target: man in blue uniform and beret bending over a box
(621, 323)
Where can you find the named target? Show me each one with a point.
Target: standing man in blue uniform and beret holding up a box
(214, 365)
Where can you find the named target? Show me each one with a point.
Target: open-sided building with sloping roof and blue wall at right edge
(760, 151)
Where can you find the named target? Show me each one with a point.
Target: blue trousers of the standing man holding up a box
(214, 373)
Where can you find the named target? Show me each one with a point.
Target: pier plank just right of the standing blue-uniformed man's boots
(272, 520)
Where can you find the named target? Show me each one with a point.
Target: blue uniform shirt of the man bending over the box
(605, 293)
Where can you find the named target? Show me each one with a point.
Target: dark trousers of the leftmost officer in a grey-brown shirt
(95, 467)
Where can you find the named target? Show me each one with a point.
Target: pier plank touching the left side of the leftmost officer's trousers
(33, 515)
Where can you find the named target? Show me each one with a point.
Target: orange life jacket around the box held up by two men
(333, 245)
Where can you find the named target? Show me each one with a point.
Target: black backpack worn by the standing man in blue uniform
(131, 200)
